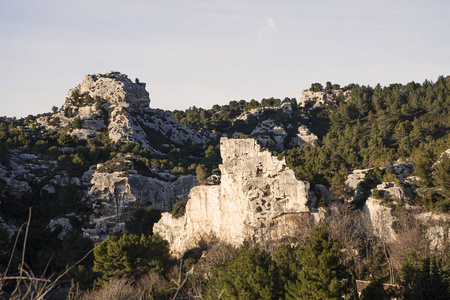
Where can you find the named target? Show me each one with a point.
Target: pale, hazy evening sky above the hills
(201, 53)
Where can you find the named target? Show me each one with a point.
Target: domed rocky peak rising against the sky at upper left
(112, 102)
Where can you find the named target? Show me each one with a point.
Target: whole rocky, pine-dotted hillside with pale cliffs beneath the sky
(105, 164)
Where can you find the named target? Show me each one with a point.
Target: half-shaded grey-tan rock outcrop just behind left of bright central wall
(114, 197)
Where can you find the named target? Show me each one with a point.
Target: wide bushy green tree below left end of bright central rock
(131, 256)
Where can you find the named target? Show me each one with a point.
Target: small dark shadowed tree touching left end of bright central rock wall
(142, 221)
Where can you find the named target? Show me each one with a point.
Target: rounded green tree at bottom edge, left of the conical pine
(251, 274)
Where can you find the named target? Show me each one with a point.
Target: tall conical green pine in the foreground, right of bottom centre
(322, 276)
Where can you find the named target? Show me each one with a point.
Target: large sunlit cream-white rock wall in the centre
(256, 190)
